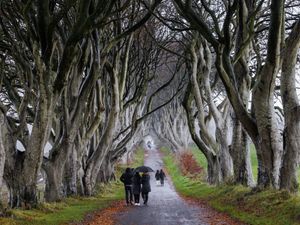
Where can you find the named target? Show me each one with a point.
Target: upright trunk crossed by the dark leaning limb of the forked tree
(240, 150)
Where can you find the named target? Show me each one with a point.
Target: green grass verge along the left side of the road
(72, 209)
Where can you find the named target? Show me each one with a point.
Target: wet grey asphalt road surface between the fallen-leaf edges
(165, 206)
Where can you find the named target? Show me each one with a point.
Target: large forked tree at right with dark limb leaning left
(262, 125)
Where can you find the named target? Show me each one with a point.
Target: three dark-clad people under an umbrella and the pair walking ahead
(136, 185)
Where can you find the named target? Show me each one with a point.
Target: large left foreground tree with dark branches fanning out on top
(45, 36)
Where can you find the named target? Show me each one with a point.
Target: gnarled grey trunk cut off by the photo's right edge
(291, 107)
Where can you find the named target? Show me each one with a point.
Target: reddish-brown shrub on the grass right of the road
(188, 164)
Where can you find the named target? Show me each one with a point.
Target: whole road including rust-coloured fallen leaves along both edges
(165, 207)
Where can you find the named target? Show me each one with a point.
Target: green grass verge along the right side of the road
(268, 207)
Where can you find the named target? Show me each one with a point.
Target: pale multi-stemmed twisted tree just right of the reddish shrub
(214, 146)
